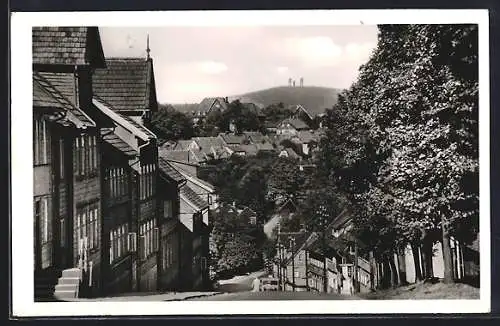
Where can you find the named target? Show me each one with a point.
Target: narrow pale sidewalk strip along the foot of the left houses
(172, 296)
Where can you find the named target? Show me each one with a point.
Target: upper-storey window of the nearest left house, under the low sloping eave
(86, 155)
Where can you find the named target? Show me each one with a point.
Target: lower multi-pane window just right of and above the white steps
(87, 226)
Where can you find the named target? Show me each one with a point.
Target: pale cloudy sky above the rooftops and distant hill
(192, 63)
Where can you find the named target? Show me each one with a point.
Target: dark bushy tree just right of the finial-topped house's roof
(170, 124)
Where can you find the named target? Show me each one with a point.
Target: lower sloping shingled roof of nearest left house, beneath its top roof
(46, 95)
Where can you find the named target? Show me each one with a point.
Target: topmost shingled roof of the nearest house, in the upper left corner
(67, 46)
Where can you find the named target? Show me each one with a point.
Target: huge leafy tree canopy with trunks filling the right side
(402, 141)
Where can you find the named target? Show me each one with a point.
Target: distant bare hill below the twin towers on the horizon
(315, 99)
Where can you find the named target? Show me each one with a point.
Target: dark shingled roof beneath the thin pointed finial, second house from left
(127, 84)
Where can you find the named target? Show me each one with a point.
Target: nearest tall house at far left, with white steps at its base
(67, 164)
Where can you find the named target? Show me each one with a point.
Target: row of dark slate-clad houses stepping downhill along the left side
(97, 214)
